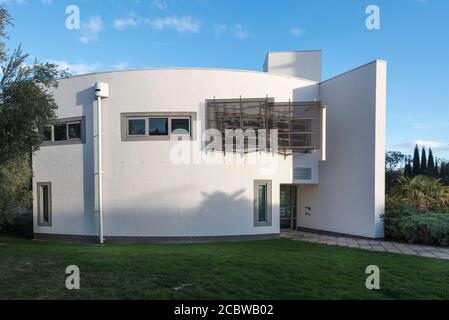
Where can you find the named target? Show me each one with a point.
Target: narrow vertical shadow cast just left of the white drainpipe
(85, 99)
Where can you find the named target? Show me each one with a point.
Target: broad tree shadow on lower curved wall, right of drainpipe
(218, 213)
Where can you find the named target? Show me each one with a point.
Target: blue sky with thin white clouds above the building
(127, 34)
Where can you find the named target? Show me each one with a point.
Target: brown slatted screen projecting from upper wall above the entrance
(299, 125)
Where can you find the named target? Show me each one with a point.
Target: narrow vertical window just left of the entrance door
(262, 203)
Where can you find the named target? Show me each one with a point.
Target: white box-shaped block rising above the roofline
(301, 64)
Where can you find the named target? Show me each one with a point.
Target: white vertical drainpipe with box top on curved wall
(101, 91)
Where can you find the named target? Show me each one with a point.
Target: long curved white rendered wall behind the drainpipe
(145, 194)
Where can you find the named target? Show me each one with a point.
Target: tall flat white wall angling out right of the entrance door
(350, 196)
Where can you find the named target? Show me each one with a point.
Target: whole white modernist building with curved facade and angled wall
(205, 154)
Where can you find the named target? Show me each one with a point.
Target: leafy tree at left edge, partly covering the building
(26, 107)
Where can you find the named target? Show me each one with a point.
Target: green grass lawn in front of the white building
(276, 269)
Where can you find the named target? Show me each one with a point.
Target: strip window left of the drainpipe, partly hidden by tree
(65, 131)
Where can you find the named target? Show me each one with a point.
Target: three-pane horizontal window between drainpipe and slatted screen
(157, 126)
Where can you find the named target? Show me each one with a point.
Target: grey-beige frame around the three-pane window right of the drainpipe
(191, 116)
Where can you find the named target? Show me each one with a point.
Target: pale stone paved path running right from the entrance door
(372, 245)
